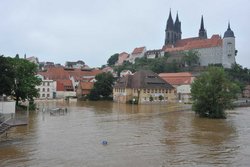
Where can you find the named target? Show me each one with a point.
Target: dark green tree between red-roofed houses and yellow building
(103, 87)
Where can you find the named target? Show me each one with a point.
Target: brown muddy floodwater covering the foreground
(137, 136)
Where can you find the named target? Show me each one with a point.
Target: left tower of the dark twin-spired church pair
(170, 31)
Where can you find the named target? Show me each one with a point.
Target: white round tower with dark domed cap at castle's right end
(228, 48)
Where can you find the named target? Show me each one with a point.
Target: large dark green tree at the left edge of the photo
(18, 79)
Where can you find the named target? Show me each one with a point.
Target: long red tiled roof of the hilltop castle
(194, 43)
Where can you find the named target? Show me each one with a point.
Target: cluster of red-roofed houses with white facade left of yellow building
(61, 82)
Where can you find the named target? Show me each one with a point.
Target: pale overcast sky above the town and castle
(93, 30)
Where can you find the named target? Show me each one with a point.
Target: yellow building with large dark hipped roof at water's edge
(143, 87)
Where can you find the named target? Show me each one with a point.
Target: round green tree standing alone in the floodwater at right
(212, 92)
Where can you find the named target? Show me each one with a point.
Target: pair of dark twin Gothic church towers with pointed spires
(173, 30)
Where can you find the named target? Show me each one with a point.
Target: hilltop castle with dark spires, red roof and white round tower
(214, 50)
